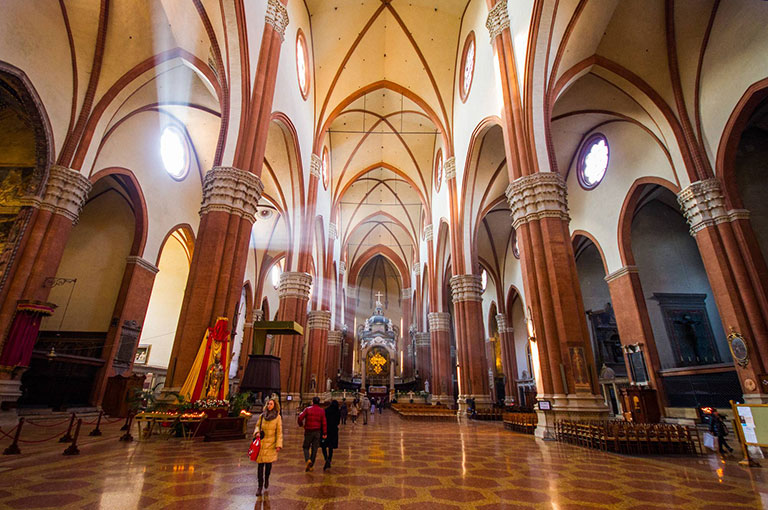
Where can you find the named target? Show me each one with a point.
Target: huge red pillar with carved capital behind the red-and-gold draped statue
(215, 281)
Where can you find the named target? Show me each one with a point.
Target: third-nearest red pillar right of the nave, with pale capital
(441, 374)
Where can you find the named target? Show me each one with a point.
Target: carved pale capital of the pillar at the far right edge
(703, 205)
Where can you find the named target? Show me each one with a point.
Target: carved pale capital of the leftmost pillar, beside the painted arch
(65, 192)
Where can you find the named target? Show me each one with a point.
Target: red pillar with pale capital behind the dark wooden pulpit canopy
(293, 293)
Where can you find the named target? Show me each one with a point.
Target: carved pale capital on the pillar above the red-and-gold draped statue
(231, 190)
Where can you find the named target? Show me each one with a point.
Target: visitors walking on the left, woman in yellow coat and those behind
(321, 431)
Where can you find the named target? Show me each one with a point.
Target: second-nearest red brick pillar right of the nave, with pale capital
(466, 291)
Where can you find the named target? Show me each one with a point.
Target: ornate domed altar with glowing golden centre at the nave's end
(378, 341)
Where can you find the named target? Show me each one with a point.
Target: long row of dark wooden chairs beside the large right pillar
(628, 437)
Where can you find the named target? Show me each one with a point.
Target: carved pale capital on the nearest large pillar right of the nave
(537, 196)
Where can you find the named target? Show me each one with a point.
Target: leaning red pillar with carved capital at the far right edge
(736, 275)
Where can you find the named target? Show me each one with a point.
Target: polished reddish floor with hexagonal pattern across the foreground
(387, 464)
